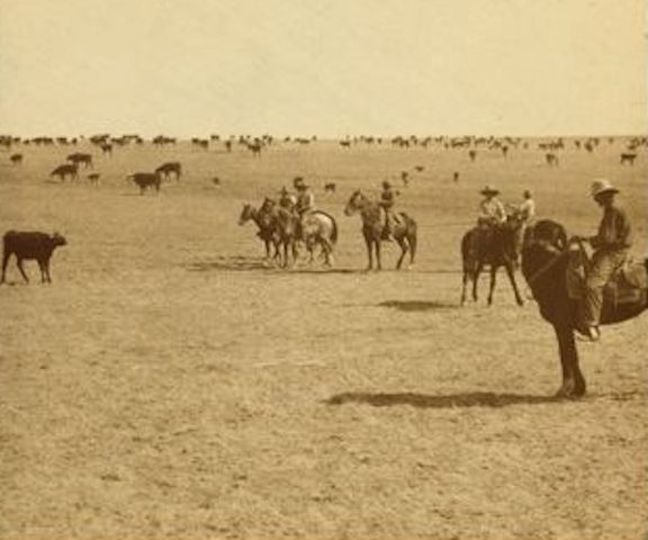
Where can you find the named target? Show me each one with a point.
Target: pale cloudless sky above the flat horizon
(325, 67)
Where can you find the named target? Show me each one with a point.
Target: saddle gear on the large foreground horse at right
(628, 285)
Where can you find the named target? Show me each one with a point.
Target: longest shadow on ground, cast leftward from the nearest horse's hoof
(471, 399)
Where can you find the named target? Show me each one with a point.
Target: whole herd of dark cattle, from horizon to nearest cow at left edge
(39, 246)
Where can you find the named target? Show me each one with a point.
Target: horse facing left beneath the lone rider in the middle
(403, 231)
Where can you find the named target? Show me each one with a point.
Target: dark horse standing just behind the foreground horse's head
(494, 245)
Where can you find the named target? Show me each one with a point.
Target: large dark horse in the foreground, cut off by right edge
(545, 257)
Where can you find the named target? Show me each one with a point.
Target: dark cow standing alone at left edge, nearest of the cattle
(30, 245)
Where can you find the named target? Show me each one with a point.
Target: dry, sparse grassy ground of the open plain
(170, 383)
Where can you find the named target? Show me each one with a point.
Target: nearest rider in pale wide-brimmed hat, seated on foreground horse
(611, 245)
